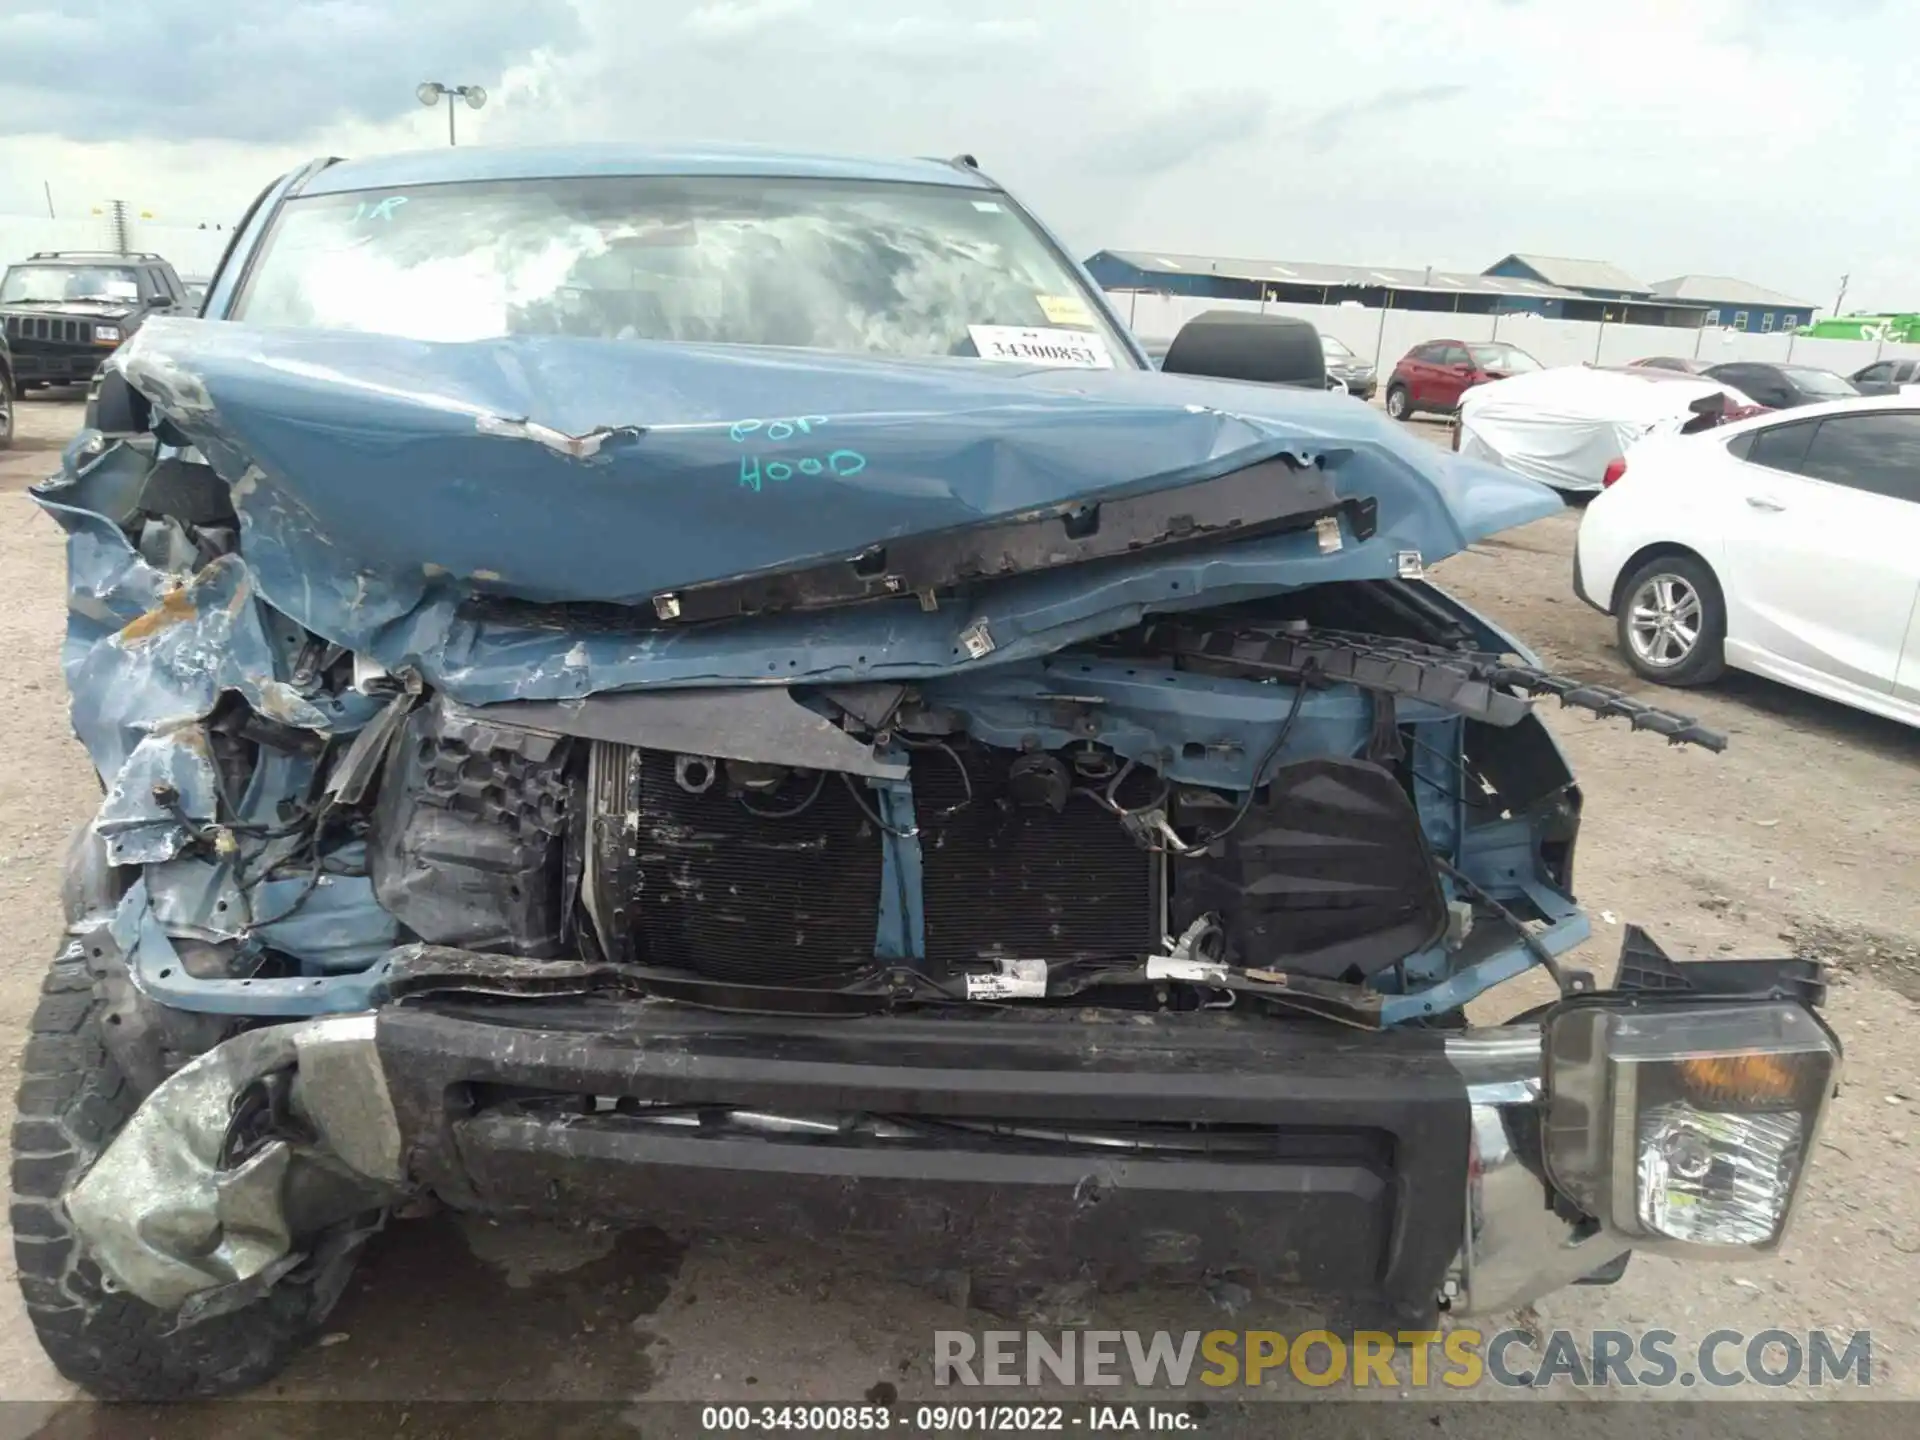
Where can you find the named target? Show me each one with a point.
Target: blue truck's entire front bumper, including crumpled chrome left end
(1385, 1172)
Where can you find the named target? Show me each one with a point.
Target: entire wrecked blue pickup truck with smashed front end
(725, 690)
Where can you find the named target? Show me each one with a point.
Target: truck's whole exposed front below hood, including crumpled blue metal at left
(1337, 800)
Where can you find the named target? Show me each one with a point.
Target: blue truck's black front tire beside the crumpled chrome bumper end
(72, 1101)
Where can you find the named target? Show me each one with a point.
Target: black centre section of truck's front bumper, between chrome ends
(1341, 1168)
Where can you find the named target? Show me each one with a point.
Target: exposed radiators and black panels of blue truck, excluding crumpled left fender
(1120, 821)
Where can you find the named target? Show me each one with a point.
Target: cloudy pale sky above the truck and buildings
(1764, 139)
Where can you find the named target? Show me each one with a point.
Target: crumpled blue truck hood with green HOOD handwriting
(387, 485)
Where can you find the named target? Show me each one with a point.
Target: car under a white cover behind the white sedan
(1568, 425)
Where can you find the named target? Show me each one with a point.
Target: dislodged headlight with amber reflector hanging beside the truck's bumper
(1689, 1126)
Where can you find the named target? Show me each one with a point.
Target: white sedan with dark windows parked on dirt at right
(1787, 544)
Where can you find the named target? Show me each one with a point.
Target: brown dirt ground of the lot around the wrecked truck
(1806, 836)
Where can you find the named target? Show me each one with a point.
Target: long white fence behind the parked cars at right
(1387, 335)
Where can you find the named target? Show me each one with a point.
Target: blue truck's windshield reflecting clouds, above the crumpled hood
(901, 270)
